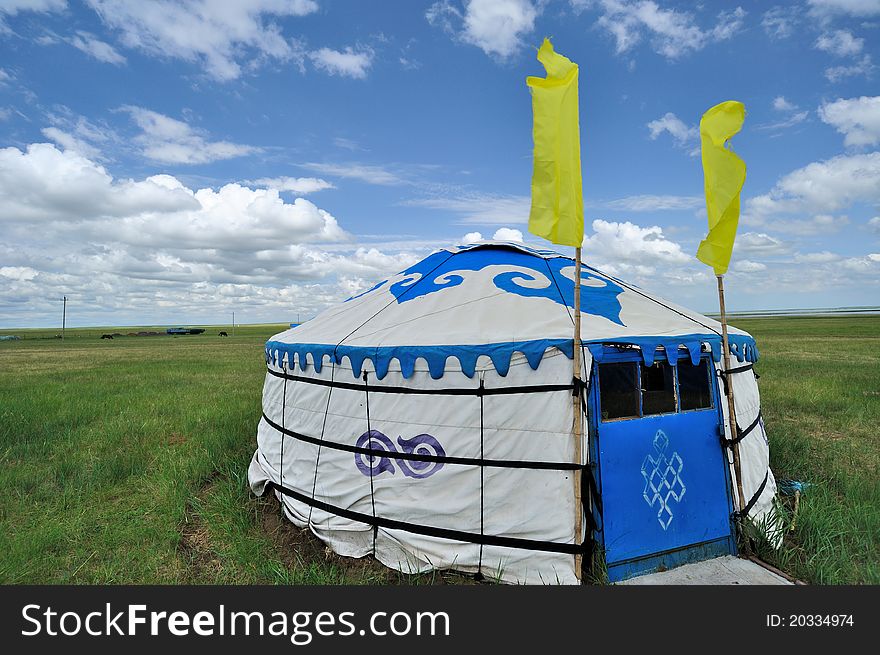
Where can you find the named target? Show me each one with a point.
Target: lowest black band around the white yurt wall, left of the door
(431, 531)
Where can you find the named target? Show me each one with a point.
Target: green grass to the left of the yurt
(125, 461)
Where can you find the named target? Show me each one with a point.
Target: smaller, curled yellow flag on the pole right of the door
(725, 174)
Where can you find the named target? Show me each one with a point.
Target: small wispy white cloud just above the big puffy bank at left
(170, 141)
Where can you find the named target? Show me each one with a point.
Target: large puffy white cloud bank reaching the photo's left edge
(45, 186)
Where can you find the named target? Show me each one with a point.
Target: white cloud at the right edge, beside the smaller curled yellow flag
(823, 186)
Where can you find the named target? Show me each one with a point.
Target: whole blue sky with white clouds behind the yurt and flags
(174, 162)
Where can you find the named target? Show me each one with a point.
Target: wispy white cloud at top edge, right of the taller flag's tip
(672, 33)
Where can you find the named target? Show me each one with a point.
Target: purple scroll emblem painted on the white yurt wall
(421, 444)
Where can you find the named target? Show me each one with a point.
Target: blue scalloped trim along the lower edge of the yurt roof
(741, 346)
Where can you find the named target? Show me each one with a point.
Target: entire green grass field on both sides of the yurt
(124, 460)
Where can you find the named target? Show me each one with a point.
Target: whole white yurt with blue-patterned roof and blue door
(429, 422)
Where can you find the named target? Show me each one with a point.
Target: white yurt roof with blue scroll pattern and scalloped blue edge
(495, 299)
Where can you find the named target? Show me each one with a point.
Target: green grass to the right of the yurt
(820, 394)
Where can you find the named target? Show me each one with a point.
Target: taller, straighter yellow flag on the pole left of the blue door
(557, 212)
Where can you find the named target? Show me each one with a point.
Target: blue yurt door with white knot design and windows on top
(664, 481)
